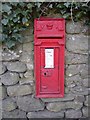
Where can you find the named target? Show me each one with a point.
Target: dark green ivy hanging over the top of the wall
(18, 16)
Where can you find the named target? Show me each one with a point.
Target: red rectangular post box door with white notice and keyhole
(49, 70)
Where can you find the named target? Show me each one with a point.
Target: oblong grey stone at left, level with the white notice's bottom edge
(16, 66)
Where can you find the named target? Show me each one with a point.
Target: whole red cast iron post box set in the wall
(49, 44)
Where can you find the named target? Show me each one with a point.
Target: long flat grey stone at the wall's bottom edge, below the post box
(45, 114)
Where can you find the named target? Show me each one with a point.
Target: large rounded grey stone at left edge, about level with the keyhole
(9, 78)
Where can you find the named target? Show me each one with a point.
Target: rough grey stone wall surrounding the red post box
(17, 80)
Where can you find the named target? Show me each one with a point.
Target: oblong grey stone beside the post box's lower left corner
(19, 90)
